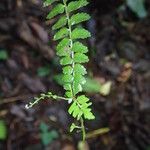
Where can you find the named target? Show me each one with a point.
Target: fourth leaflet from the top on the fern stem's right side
(79, 47)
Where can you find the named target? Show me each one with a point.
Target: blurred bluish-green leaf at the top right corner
(138, 7)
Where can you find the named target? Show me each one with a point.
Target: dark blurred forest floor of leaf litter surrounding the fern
(118, 80)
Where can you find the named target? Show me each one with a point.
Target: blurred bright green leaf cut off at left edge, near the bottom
(3, 130)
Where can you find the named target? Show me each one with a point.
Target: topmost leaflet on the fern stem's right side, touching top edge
(76, 5)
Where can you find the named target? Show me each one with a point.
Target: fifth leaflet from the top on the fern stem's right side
(80, 58)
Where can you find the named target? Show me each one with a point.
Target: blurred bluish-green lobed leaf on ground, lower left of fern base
(47, 136)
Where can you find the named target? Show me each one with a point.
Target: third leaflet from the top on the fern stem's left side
(60, 23)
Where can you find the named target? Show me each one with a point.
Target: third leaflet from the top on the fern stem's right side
(80, 33)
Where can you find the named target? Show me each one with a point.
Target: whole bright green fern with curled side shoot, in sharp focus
(72, 55)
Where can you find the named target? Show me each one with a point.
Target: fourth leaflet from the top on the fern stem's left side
(61, 34)
